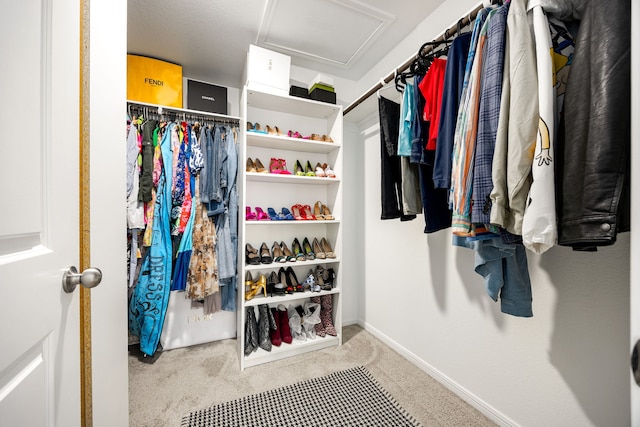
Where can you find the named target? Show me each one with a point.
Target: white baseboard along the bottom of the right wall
(489, 411)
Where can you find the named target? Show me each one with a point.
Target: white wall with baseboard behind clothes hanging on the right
(568, 365)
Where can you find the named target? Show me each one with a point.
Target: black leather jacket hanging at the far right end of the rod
(593, 149)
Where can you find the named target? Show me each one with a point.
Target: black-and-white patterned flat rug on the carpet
(346, 398)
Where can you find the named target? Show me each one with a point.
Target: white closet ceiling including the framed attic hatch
(210, 38)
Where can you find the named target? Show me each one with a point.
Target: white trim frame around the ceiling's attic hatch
(385, 19)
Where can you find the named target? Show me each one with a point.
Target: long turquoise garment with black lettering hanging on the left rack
(148, 304)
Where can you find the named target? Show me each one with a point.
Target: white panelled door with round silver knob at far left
(39, 104)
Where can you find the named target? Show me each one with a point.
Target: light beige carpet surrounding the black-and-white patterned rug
(188, 379)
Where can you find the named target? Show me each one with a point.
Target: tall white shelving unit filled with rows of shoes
(277, 191)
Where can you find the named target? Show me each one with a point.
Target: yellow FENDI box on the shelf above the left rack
(154, 81)
